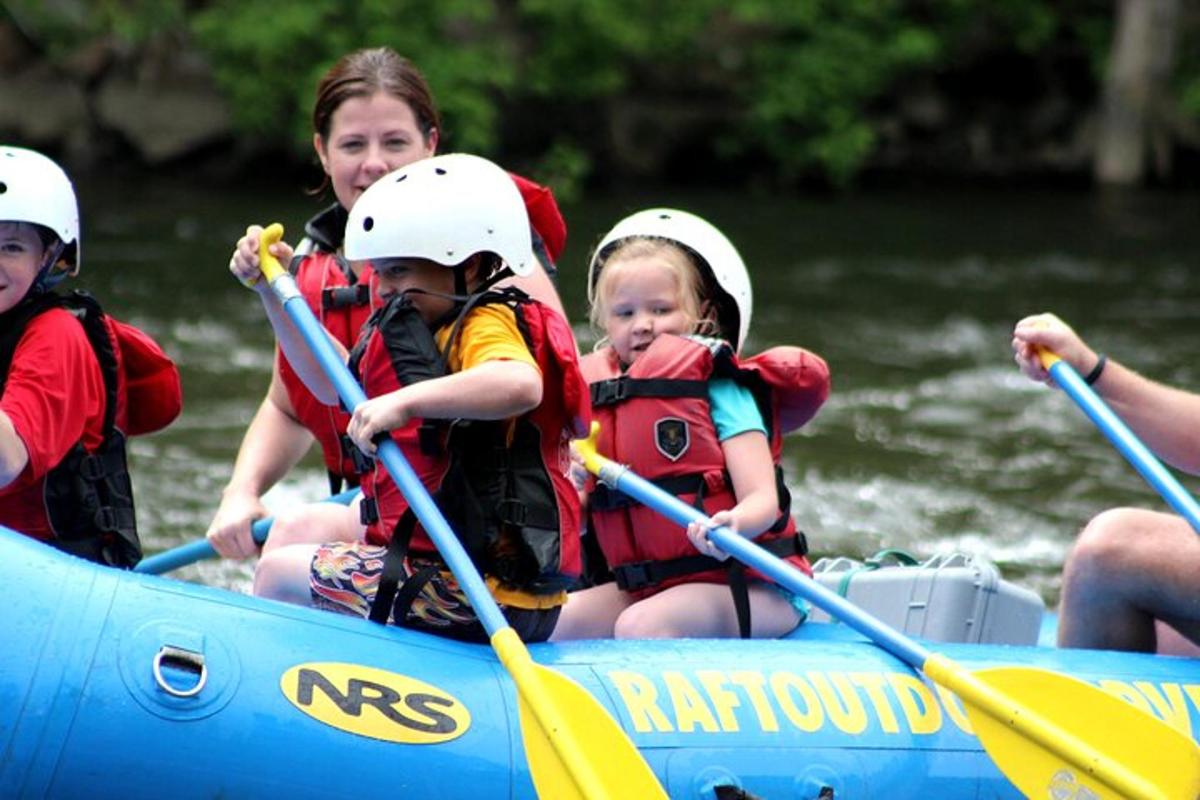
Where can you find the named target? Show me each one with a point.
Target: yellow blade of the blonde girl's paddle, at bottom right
(1091, 742)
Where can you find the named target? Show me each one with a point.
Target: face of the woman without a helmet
(370, 137)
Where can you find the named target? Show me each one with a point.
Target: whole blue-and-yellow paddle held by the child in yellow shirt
(574, 748)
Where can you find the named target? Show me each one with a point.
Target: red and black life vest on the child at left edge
(88, 497)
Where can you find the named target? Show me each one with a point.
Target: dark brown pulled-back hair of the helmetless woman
(365, 73)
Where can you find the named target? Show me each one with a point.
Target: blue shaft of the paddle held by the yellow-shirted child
(389, 453)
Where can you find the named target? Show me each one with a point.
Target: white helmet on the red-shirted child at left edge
(35, 190)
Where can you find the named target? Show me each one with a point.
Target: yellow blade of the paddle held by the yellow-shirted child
(575, 749)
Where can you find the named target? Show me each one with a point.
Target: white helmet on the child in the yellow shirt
(445, 209)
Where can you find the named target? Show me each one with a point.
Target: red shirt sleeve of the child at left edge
(55, 393)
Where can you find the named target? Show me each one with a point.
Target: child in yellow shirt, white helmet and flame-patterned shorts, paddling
(481, 389)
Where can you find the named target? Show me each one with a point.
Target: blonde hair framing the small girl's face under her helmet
(689, 285)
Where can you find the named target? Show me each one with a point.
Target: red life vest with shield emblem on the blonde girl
(656, 418)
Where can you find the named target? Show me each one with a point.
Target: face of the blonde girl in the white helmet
(644, 303)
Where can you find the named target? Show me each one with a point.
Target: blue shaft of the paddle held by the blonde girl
(779, 570)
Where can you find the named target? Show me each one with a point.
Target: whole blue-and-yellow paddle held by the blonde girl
(1079, 739)
